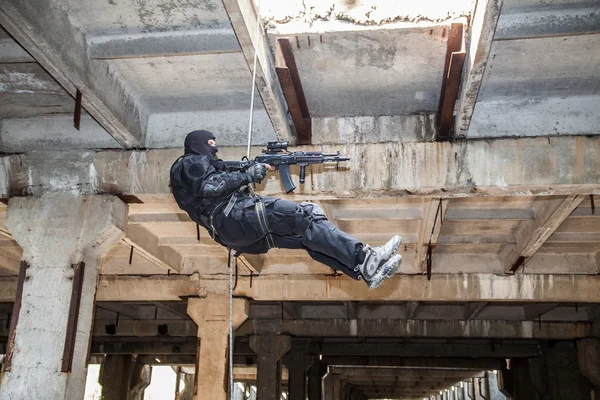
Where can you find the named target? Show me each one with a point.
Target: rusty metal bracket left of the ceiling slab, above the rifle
(288, 75)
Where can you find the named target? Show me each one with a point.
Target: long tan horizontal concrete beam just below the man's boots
(442, 287)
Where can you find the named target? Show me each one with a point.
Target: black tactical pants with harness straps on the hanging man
(293, 226)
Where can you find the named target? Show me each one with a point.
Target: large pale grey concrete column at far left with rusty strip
(51, 338)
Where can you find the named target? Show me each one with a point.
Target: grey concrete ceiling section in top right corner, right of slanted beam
(543, 72)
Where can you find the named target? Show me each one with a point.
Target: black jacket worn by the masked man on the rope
(200, 185)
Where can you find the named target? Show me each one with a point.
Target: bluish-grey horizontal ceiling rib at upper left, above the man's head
(162, 44)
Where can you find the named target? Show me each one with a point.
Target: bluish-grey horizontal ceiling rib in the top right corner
(547, 19)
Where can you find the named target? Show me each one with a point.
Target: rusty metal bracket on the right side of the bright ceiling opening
(455, 57)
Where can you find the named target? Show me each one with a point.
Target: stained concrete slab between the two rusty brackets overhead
(372, 72)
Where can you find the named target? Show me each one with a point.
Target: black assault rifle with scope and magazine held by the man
(278, 156)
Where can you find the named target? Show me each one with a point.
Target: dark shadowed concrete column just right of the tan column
(270, 348)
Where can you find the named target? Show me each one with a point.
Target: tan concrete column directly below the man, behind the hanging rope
(211, 314)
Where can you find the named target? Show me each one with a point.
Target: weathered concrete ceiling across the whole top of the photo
(152, 71)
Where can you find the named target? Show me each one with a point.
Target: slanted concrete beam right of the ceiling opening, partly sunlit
(482, 31)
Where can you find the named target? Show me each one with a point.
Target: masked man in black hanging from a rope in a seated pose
(217, 197)
